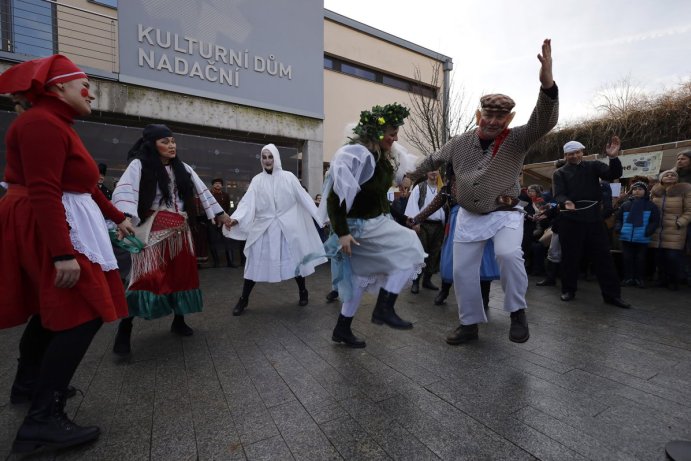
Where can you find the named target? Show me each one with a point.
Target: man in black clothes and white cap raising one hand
(582, 230)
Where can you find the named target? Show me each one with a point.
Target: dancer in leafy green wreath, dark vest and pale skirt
(373, 251)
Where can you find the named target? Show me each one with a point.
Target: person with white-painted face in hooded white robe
(275, 218)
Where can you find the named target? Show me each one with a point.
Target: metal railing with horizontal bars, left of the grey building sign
(44, 27)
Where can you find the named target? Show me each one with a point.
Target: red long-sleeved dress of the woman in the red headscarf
(45, 158)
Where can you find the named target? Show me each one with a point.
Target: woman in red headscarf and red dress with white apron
(57, 263)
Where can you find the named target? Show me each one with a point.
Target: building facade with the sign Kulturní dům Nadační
(224, 85)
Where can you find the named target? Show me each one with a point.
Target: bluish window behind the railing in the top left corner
(28, 27)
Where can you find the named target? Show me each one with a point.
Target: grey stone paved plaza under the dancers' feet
(593, 382)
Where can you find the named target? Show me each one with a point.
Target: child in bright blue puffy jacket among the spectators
(636, 221)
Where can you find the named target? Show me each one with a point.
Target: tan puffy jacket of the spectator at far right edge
(674, 203)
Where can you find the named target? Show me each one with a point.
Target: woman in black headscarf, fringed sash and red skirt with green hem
(156, 189)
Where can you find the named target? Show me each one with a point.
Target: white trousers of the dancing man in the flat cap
(467, 257)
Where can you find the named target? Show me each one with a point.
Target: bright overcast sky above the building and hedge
(494, 45)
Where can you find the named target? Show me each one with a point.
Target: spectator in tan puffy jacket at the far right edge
(674, 200)
